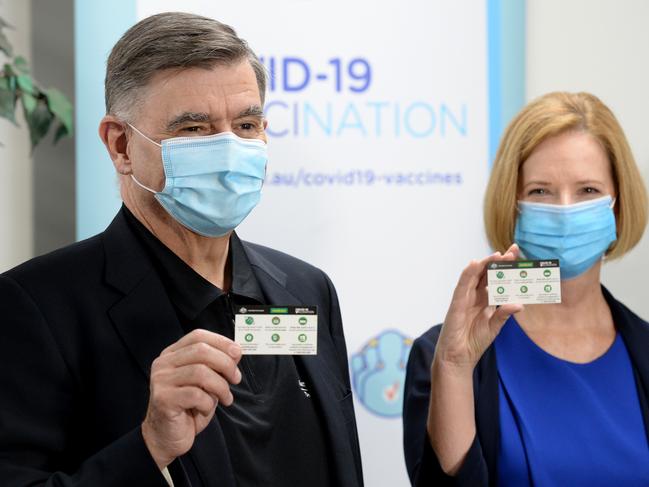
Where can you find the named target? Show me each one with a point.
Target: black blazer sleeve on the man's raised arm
(40, 411)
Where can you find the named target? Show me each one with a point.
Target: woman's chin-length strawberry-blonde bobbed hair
(551, 115)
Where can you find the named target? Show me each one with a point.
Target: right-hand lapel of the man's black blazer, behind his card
(328, 391)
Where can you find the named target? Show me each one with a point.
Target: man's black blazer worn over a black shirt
(80, 328)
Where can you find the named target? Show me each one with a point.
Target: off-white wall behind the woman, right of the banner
(601, 47)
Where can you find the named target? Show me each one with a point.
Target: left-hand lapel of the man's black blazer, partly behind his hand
(147, 322)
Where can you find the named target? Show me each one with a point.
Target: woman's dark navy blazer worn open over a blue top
(480, 466)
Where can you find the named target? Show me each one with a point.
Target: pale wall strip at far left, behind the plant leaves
(16, 219)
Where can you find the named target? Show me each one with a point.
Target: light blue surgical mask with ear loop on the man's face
(211, 183)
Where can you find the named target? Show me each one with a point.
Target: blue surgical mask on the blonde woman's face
(578, 235)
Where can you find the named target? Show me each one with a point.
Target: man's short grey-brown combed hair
(171, 40)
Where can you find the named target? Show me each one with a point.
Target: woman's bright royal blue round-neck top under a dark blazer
(568, 424)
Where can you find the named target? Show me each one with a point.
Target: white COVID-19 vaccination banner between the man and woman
(380, 135)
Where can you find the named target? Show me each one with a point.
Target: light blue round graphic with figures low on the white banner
(379, 372)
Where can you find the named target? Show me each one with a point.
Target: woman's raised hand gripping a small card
(471, 325)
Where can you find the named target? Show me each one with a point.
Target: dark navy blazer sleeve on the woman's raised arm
(421, 462)
